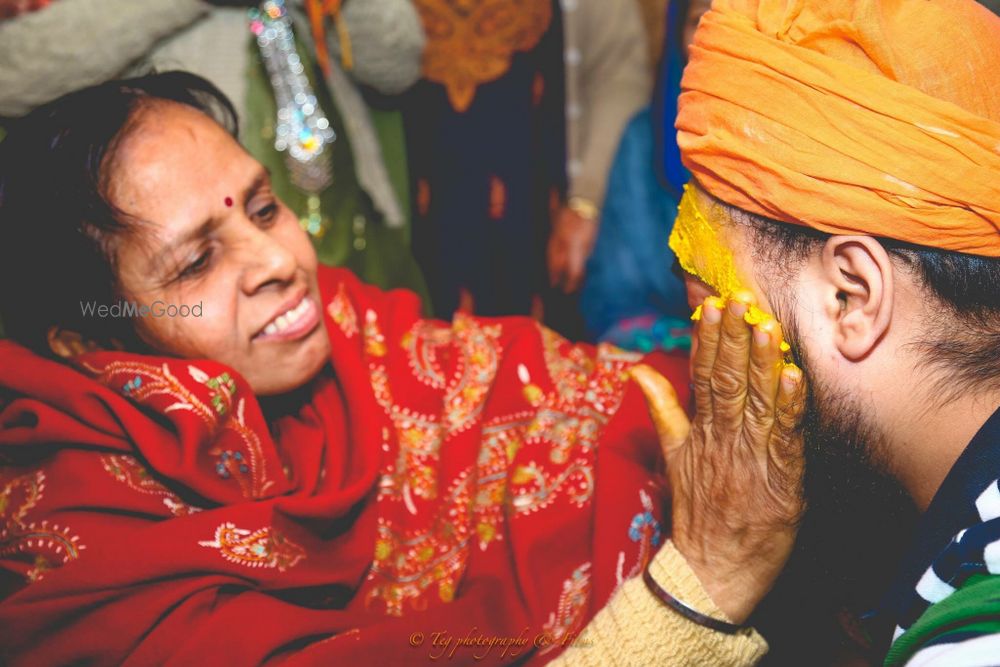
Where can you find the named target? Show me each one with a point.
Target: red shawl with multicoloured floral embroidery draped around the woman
(443, 486)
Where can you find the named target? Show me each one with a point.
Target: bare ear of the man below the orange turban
(860, 276)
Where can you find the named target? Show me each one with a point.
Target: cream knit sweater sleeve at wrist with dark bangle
(635, 629)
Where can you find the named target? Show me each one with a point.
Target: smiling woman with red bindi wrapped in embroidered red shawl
(399, 467)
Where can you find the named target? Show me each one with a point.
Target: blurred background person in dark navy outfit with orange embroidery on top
(486, 145)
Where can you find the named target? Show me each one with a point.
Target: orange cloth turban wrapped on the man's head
(877, 117)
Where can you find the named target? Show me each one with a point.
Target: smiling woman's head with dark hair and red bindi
(169, 237)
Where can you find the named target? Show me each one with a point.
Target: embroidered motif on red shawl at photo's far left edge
(50, 544)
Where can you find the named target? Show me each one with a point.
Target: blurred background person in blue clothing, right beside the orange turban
(630, 295)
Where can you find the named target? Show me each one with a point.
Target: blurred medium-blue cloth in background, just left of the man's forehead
(629, 273)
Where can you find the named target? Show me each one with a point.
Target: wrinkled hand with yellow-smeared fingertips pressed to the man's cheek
(736, 477)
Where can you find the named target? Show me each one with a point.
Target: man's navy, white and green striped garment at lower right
(945, 604)
